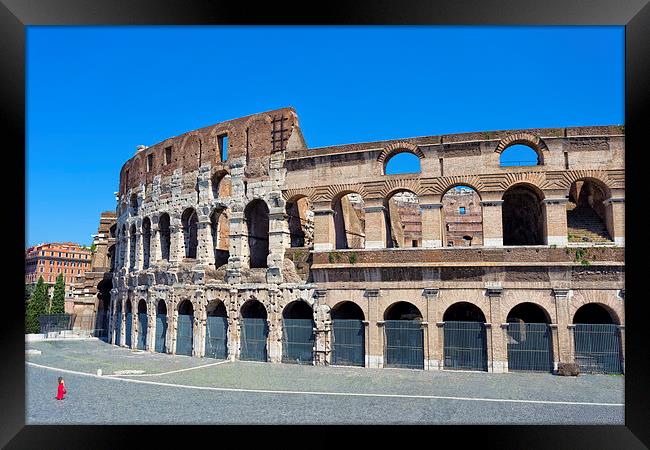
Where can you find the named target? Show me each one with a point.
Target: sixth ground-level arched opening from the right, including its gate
(298, 333)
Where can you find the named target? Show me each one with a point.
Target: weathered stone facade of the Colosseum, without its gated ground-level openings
(243, 211)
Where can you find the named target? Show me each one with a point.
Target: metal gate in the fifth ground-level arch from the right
(348, 342)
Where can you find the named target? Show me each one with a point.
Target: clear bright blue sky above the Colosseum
(95, 93)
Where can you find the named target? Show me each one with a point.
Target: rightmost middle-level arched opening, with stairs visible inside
(587, 213)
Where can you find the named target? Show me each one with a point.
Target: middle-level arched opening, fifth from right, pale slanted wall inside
(349, 221)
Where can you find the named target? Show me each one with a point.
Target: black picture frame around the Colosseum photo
(633, 14)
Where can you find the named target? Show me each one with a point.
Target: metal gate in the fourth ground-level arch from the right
(404, 344)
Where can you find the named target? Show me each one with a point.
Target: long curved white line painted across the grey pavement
(340, 394)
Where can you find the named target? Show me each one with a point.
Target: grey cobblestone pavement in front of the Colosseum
(179, 398)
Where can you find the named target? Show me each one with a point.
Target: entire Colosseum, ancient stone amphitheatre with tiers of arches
(237, 241)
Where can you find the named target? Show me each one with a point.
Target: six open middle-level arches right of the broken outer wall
(523, 217)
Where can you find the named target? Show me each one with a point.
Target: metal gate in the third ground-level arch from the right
(465, 345)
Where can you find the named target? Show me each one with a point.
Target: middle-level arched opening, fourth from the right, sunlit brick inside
(403, 220)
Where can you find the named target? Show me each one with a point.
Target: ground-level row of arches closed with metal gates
(529, 338)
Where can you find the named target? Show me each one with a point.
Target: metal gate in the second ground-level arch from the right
(529, 347)
